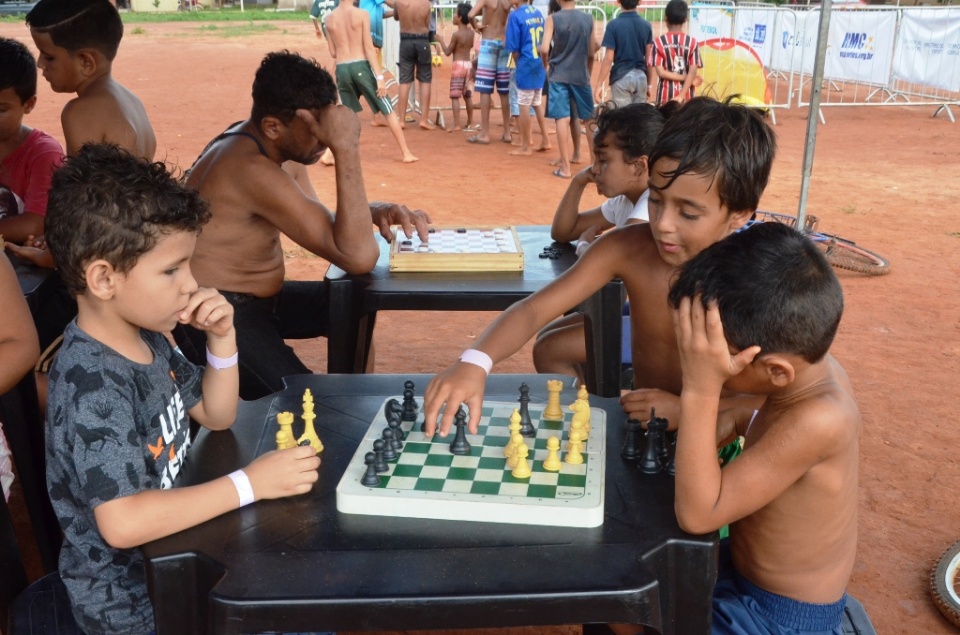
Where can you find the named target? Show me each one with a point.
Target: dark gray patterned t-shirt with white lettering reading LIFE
(114, 428)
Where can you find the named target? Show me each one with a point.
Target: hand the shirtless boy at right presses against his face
(705, 357)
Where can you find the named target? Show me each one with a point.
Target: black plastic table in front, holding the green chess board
(298, 564)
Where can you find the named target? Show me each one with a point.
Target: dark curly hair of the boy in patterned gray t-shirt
(106, 203)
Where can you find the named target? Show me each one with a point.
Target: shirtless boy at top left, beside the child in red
(78, 41)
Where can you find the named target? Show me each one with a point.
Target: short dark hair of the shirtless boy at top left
(79, 24)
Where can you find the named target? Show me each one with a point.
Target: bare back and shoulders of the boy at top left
(107, 112)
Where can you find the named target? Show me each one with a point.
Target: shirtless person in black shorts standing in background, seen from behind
(414, 17)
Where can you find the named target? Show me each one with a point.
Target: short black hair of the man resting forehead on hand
(286, 82)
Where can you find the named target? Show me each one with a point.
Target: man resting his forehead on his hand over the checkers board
(252, 201)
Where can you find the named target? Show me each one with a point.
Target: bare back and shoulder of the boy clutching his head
(802, 544)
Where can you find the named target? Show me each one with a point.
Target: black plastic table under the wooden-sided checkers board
(355, 299)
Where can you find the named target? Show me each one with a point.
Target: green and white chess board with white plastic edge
(427, 481)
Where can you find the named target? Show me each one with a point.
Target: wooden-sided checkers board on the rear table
(458, 249)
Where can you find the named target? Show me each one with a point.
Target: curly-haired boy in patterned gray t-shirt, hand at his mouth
(122, 232)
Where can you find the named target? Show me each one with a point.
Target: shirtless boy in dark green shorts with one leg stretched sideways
(350, 44)
